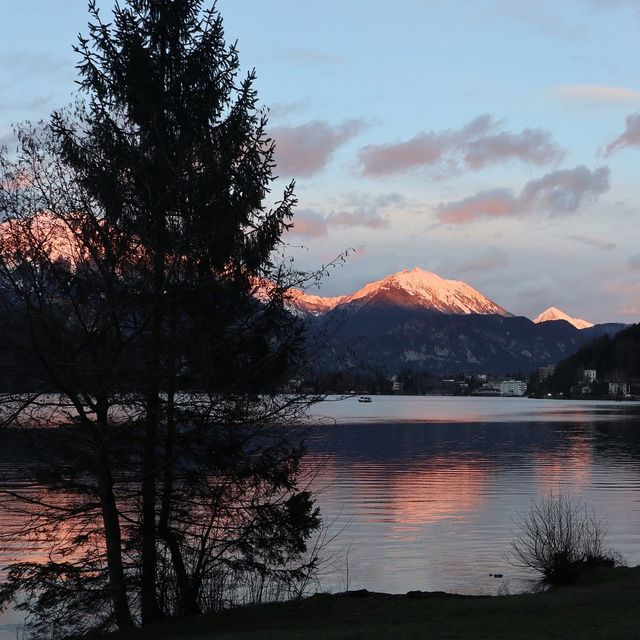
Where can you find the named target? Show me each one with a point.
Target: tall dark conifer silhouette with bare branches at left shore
(147, 332)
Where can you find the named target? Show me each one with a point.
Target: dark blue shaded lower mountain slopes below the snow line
(390, 338)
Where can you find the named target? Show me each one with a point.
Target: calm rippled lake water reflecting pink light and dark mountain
(421, 492)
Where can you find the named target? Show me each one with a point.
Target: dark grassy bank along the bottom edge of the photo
(604, 605)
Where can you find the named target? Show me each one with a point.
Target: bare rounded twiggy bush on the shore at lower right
(560, 538)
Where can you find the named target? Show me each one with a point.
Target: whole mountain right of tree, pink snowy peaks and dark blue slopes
(416, 319)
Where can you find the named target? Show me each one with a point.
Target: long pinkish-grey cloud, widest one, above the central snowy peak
(476, 145)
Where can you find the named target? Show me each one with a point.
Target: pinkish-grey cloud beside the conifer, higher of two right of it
(307, 149)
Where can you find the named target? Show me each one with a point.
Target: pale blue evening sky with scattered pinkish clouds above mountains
(491, 141)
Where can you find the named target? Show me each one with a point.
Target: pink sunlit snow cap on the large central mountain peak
(409, 288)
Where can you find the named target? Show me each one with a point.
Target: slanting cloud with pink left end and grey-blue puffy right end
(557, 193)
